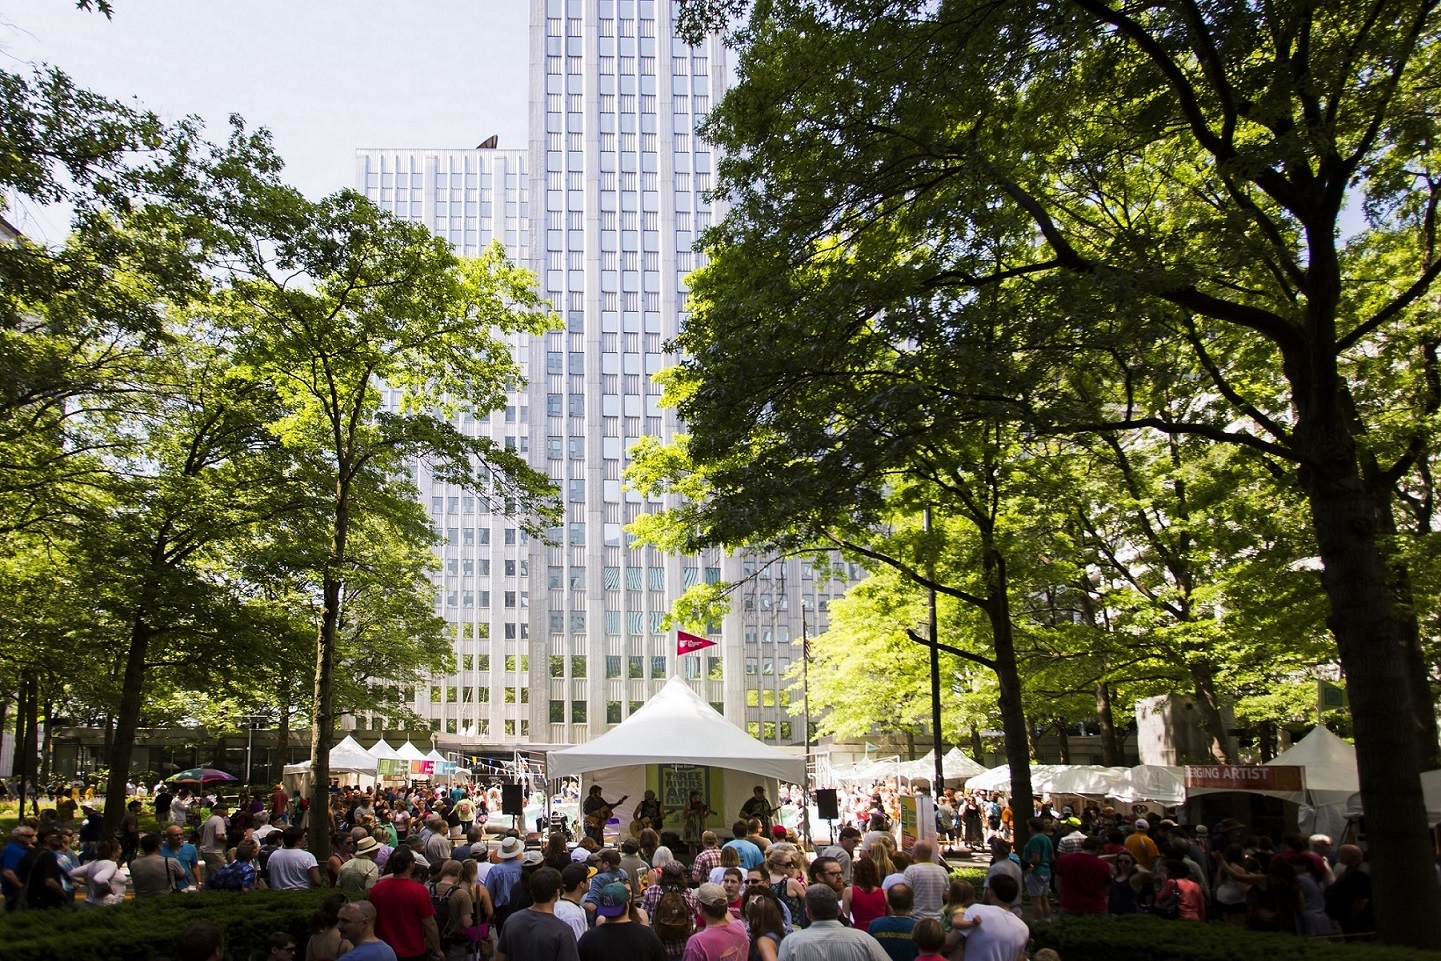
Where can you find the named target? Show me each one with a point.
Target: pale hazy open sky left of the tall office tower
(326, 77)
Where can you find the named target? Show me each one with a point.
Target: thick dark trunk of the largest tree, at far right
(1374, 656)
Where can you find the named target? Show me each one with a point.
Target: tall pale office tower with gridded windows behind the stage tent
(556, 645)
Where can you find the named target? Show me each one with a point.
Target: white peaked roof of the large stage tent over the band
(677, 727)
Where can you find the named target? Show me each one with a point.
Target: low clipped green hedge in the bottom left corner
(146, 930)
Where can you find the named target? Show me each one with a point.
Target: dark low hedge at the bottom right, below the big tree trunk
(1146, 939)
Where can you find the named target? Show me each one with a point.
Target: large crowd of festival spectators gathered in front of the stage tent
(419, 877)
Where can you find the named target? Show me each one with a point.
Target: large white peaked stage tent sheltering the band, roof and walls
(678, 728)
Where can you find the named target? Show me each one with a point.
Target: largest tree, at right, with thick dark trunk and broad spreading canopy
(1166, 176)
